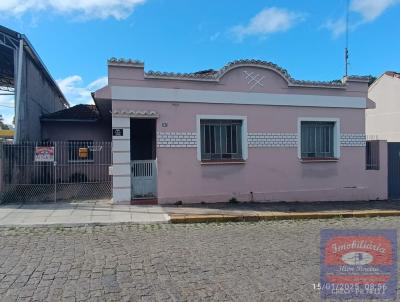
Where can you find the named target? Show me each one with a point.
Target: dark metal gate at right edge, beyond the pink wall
(394, 170)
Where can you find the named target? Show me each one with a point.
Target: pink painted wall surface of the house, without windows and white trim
(271, 173)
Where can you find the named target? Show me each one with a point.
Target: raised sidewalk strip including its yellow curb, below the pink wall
(220, 212)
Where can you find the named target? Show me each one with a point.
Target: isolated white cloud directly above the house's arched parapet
(268, 21)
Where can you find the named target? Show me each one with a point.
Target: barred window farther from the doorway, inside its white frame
(317, 140)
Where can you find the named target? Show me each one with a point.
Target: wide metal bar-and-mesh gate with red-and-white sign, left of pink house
(51, 171)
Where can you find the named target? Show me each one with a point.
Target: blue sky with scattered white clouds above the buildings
(75, 38)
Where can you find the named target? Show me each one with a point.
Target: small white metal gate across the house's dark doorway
(144, 179)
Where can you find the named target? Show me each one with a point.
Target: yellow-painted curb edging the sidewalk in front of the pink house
(182, 218)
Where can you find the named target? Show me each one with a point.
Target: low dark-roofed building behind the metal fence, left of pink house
(75, 132)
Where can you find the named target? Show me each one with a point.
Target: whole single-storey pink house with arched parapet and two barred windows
(248, 131)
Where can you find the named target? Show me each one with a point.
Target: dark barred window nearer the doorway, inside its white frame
(221, 139)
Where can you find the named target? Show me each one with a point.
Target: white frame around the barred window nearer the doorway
(222, 117)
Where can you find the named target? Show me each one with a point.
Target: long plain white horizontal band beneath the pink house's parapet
(129, 93)
